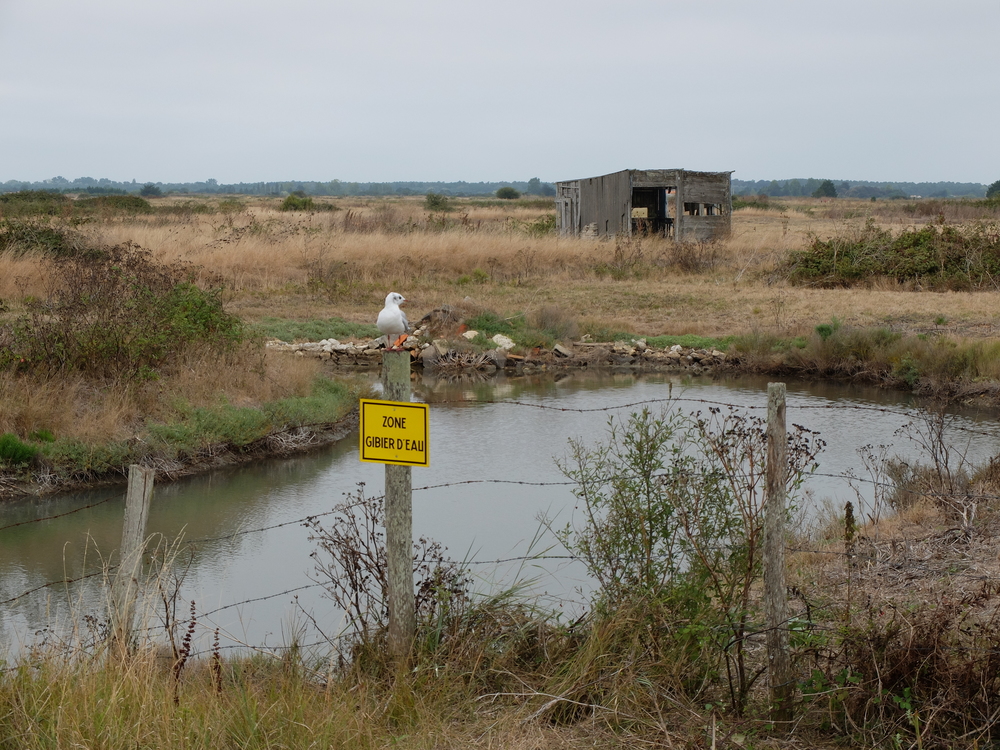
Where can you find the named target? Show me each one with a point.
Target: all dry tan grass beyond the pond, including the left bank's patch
(340, 260)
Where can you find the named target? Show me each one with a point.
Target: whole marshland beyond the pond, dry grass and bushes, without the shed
(122, 315)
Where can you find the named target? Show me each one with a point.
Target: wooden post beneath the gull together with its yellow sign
(394, 432)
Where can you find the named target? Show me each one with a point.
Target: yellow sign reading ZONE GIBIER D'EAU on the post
(393, 432)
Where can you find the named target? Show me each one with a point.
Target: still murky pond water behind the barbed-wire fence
(477, 433)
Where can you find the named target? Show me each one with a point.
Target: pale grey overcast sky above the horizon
(241, 90)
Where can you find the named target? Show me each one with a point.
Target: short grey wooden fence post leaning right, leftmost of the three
(125, 586)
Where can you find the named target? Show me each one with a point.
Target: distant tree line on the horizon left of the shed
(104, 186)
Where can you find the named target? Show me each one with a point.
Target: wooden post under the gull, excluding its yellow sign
(399, 522)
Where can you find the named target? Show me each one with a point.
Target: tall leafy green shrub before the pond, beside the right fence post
(673, 513)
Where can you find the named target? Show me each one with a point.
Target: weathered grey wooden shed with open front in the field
(688, 206)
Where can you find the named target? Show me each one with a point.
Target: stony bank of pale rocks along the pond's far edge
(461, 353)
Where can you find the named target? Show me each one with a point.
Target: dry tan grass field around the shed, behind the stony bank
(498, 255)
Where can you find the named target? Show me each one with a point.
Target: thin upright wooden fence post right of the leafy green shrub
(775, 602)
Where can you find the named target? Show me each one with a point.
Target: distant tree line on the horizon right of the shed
(858, 188)
